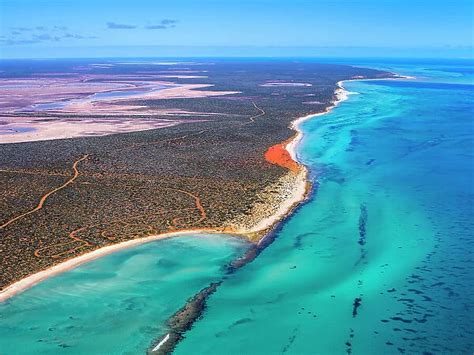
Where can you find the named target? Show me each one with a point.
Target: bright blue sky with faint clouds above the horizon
(134, 28)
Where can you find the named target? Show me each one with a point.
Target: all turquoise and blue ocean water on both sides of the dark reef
(378, 261)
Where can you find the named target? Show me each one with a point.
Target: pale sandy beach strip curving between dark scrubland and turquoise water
(299, 192)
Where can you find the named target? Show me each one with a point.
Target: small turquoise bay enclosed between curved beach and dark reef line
(116, 304)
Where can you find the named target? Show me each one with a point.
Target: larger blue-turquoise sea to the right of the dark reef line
(380, 259)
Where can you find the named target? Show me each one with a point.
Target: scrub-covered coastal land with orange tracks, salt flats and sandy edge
(207, 152)
